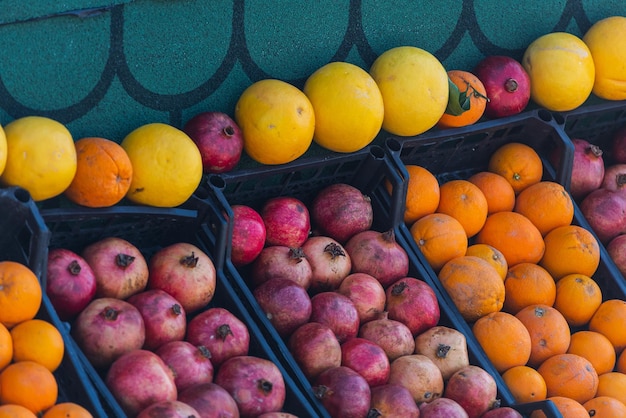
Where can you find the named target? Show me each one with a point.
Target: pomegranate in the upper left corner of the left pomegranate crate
(70, 283)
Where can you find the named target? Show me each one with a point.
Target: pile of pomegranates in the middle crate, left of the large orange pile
(365, 334)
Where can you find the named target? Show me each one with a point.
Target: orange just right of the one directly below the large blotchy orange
(549, 332)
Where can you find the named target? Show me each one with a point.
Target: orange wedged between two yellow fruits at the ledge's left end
(103, 173)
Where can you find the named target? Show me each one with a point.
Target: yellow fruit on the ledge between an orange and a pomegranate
(167, 165)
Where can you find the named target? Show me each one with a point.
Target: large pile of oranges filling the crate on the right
(504, 247)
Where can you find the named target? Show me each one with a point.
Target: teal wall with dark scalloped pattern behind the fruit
(104, 68)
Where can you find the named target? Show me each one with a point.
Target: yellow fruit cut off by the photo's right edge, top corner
(606, 40)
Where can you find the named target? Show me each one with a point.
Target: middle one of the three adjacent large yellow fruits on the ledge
(348, 106)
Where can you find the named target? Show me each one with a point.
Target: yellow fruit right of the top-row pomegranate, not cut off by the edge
(561, 71)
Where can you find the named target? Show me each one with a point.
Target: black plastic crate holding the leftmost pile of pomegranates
(199, 221)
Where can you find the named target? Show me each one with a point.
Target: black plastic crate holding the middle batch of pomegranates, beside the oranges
(367, 171)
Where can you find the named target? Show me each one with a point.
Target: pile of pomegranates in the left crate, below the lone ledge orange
(149, 327)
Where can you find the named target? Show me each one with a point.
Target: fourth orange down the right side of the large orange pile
(577, 298)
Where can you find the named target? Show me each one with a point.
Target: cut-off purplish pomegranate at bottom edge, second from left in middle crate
(392, 401)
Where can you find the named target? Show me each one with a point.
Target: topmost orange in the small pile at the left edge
(20, 293)
